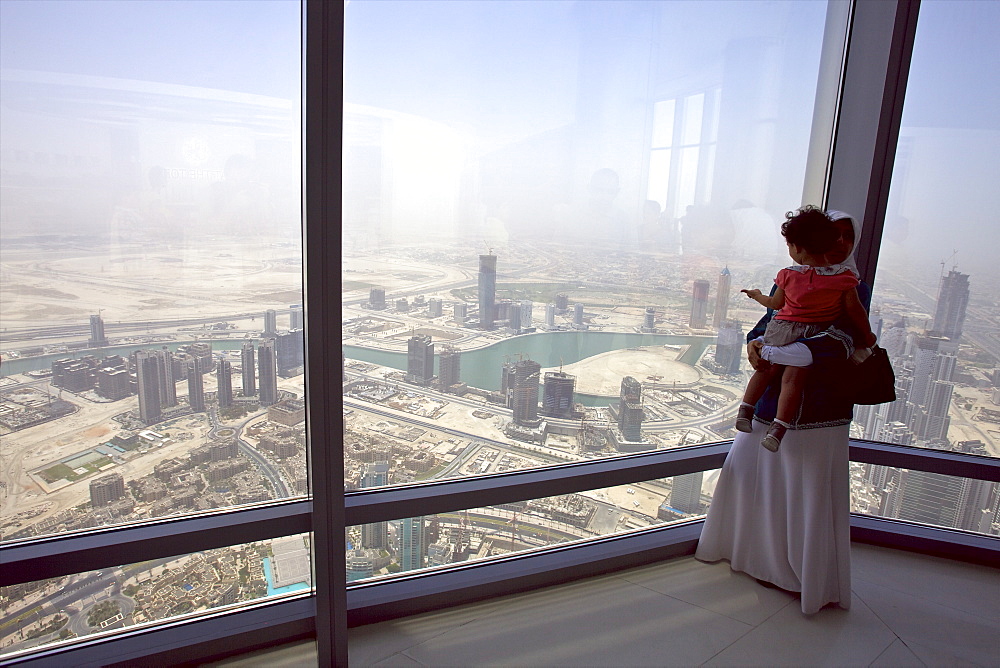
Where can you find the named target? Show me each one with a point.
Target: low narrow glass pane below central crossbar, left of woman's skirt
(386, 548)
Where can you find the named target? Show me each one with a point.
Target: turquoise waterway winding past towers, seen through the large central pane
(481, 368)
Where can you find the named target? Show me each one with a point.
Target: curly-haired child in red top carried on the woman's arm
(809, 296)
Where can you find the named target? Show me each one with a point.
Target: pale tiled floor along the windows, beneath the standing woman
(908, 610)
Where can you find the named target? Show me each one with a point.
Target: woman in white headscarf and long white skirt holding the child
(786, 520)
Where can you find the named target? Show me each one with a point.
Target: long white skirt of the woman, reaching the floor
(784, 517)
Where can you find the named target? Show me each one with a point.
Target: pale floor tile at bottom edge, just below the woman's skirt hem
(831, 637)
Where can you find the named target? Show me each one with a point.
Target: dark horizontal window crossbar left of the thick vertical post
(56, 556)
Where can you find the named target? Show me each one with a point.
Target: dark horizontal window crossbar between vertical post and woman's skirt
(380, 505)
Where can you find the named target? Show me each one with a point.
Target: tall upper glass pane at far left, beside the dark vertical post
(151, 261)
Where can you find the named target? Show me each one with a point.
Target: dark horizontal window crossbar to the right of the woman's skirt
(944, 462)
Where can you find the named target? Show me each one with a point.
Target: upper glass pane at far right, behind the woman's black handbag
(935, 297)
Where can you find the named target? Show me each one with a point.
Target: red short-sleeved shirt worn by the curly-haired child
(812, 297)
